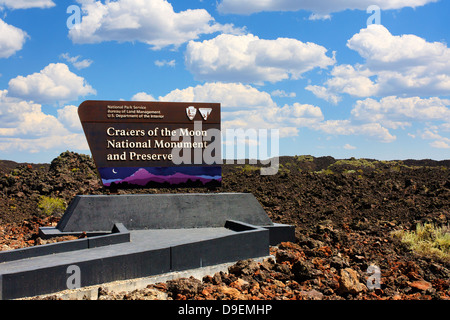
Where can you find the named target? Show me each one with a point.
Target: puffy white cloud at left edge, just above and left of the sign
(54, 83)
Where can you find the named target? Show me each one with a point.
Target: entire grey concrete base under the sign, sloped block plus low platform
(121, 254)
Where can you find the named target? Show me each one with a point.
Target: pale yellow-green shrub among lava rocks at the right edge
(427, 240)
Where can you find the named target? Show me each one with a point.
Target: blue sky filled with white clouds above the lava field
(341, 78)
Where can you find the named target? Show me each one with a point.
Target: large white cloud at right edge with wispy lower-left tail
(394, 65)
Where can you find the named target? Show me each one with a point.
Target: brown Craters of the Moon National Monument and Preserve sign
(154, 144)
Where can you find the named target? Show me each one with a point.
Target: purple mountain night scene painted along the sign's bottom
(161, 177)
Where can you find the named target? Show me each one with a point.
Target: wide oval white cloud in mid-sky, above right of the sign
(249, 59)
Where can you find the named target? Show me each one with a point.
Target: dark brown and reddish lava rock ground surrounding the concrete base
(345, 213)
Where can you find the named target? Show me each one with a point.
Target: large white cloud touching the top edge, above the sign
(153, 22)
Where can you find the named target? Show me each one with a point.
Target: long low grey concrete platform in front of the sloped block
(149, 252)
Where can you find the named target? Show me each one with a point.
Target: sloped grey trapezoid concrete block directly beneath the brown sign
(98, 213)
